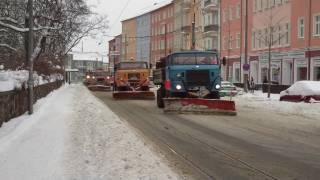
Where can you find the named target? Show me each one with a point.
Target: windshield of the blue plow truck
(191, 59)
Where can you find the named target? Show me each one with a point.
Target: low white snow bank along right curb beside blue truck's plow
(260, 100)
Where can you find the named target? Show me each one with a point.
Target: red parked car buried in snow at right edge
(307, 91)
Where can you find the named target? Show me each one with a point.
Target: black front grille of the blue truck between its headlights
(198, 77)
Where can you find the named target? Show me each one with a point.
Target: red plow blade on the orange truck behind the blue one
(133, 95)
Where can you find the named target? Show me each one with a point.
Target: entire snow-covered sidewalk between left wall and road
(72, 135)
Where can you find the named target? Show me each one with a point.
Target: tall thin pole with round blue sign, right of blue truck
(246, 49)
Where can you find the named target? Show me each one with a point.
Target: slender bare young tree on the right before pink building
(271, 36)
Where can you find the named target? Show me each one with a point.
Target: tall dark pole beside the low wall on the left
(29, 55)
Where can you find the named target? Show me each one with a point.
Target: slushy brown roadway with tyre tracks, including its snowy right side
(268, 139)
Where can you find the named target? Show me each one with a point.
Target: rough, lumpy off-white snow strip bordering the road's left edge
(104, 147)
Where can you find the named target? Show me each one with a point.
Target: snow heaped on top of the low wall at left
(10, 80)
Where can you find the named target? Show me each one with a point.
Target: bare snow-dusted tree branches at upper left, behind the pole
(58, 26)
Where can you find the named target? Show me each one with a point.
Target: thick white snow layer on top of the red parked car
(304, 88)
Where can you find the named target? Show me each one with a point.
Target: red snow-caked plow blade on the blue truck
(199, 106)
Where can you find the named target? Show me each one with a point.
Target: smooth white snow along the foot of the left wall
(31, 147)
